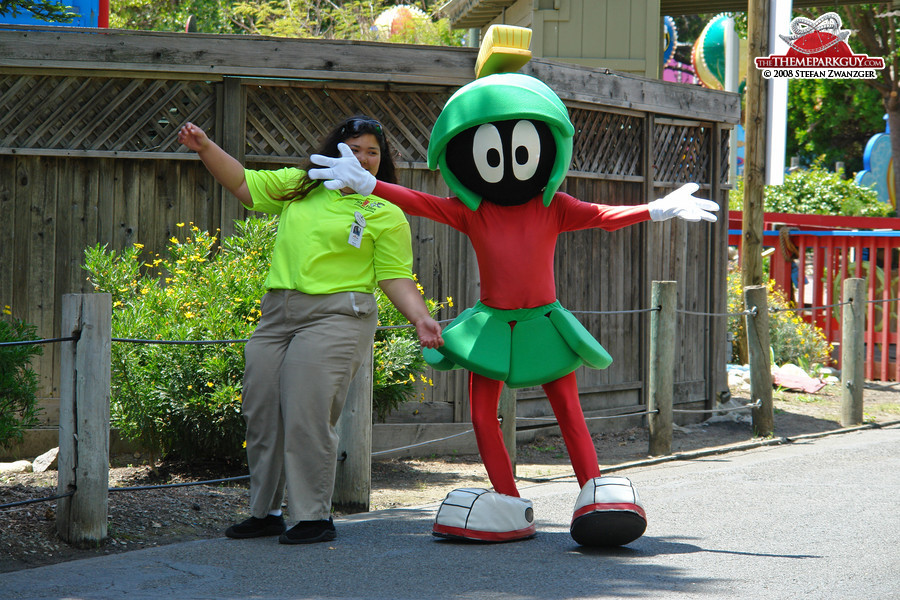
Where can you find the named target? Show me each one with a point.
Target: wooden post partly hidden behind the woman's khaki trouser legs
(353, 481)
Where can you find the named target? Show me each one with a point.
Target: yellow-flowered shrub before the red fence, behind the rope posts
(792, 339)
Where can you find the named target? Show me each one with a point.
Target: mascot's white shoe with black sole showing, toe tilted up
(608, 513)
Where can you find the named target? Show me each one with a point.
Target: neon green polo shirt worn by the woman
(313, 251)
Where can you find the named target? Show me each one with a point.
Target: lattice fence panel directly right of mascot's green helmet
(606, 143)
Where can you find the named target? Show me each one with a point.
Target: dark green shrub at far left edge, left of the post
(18, 382)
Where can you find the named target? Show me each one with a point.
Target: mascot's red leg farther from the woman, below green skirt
(563, 396)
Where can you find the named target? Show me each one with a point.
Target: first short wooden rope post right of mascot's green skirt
(662, 366)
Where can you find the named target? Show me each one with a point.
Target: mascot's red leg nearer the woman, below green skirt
(484, 399)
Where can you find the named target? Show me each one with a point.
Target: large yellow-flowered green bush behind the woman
(185, 400)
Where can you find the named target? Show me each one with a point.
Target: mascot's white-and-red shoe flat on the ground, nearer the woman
(484, 516)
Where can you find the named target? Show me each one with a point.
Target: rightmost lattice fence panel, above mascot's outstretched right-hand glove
(681, 153)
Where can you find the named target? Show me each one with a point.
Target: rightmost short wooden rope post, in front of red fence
(853, 328)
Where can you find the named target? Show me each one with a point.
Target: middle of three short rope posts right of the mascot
(760, 360)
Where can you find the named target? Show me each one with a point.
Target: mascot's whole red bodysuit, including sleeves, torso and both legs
(515, 247)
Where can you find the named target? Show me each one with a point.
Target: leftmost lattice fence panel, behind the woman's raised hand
(101, 115)
